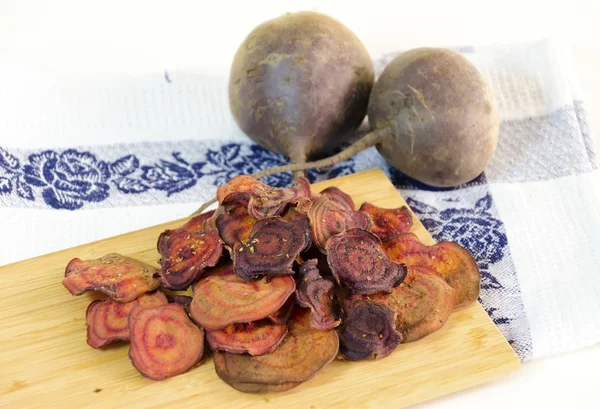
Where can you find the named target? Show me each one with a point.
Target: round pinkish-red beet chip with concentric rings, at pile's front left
(164, 341)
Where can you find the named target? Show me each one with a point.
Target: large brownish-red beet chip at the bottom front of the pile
(303, 352)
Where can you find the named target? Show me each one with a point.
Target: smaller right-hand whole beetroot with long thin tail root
(432, 116)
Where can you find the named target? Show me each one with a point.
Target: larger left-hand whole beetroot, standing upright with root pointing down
(299, 85)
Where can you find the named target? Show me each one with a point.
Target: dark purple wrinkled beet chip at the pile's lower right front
(368, 331)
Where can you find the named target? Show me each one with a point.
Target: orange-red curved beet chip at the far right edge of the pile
(447, 259)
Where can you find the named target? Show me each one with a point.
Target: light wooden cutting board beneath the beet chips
(46, 362)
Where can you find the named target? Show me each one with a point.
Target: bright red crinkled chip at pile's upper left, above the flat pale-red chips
(185, 255)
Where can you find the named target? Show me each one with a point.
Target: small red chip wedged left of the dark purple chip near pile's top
(234, 224)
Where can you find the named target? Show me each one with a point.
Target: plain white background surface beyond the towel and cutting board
(92, 39)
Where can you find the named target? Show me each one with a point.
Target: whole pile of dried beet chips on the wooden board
(283, 281)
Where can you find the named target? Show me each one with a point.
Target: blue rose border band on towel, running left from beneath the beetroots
(69, 179)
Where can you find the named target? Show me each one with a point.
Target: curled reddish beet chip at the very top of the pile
(263, 200)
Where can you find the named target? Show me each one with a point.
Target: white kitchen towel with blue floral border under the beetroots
(83, 159)
